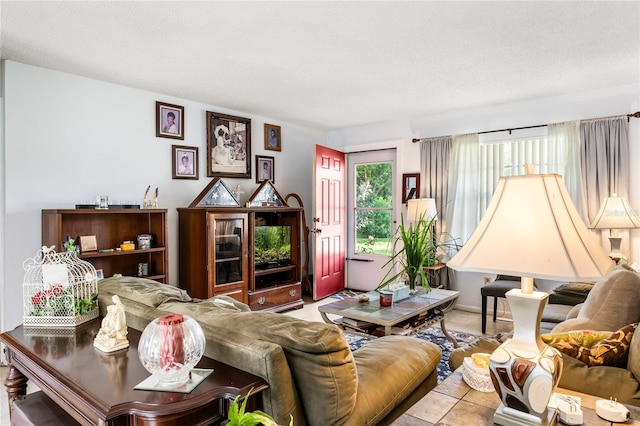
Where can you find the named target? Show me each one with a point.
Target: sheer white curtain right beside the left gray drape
(463, 212)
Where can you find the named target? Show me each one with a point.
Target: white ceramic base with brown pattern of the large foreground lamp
(524, 370)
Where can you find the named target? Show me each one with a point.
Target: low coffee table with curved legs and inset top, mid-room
(406, 316)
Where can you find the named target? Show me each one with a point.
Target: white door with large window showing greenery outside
(371, 219)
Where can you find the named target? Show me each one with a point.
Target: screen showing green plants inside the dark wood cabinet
(272, 246)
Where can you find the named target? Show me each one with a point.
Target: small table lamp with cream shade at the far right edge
(615, 214)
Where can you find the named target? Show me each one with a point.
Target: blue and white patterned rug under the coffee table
(431, 334)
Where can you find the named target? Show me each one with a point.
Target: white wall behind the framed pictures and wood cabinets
(69, 138)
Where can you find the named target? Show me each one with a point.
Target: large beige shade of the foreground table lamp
(532, 229)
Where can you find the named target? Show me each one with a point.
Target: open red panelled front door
(329, 222)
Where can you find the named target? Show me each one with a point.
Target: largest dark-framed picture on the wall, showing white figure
(228, 146)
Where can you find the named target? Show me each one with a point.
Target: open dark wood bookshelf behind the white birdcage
(111, 228)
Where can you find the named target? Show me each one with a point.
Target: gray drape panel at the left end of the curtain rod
(435, 155)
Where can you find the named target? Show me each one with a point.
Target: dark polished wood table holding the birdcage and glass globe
(98, 389)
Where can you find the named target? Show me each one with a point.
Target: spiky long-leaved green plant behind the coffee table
(414, 247)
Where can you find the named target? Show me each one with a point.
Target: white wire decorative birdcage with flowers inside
(59, 290)
